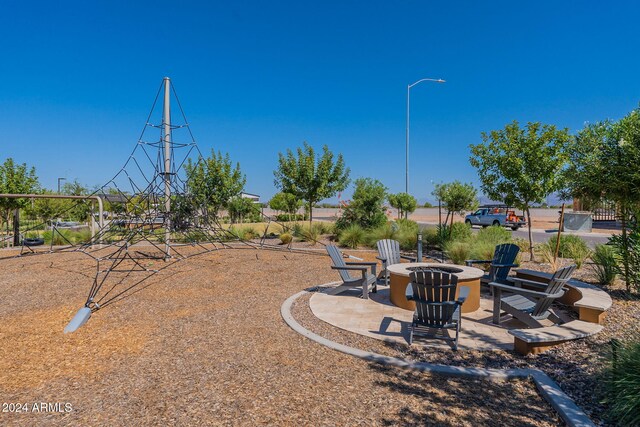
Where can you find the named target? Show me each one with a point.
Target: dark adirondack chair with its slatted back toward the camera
(437, 308)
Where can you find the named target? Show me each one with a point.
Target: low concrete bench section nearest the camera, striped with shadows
(536, 341)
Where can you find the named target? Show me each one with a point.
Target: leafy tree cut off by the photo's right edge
(603, 161)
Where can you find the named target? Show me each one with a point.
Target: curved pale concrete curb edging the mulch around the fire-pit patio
(549, 389)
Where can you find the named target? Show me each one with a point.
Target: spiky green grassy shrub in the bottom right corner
(624, 384)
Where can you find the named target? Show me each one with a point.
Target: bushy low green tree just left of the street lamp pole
(367, 205)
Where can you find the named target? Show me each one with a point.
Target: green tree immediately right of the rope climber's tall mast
(212, 182)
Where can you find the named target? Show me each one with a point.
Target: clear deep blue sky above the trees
(255, 78)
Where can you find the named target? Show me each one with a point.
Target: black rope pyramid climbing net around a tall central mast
(143, 237)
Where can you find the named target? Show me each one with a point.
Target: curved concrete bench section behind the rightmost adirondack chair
(592, 302)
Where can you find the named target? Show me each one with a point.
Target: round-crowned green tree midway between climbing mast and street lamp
(309, 178)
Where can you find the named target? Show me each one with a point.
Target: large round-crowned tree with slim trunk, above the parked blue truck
(521, 166)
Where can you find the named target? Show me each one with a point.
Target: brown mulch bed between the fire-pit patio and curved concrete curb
(578, 366)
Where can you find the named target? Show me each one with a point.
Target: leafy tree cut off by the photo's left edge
(15, 179)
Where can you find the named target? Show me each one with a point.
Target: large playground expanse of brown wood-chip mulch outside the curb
(204, 344)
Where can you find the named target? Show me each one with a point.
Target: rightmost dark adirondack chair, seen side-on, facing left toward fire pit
(527, 305)
